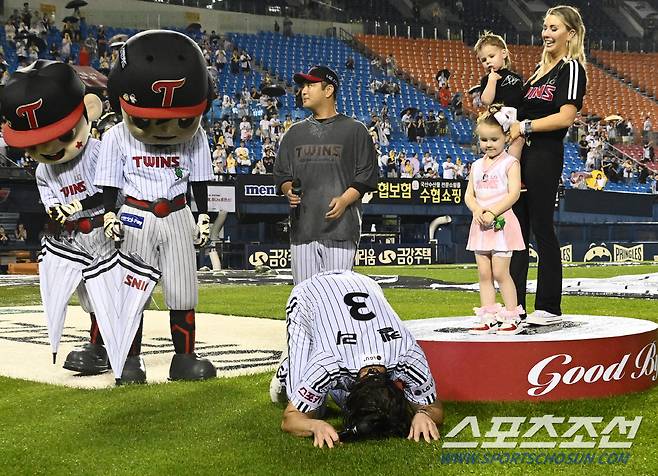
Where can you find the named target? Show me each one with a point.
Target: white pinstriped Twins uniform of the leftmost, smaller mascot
(74, 180)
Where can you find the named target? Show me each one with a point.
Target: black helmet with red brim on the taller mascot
(159, 74)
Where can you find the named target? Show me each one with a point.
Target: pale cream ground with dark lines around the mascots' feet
(236, 345)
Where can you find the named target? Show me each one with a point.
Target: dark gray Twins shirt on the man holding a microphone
(328, 157)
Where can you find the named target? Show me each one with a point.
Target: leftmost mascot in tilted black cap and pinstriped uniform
(49, 115)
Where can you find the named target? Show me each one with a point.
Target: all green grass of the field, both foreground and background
(229, 426)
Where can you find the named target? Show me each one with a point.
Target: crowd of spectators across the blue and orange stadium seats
(245, 127)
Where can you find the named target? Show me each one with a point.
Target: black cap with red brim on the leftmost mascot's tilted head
(41, 102)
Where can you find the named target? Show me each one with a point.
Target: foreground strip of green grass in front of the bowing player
(229, 426)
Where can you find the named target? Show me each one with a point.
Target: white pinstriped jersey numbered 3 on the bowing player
(339, 322)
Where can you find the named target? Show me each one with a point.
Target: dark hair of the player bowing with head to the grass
(376, 407)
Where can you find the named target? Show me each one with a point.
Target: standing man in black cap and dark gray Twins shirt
(325, 164)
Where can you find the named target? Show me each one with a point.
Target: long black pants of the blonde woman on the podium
(541, 167)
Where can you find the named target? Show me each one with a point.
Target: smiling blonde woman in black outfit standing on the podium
(552, 97)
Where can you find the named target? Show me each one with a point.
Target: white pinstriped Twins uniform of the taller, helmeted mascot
(149, 172)
